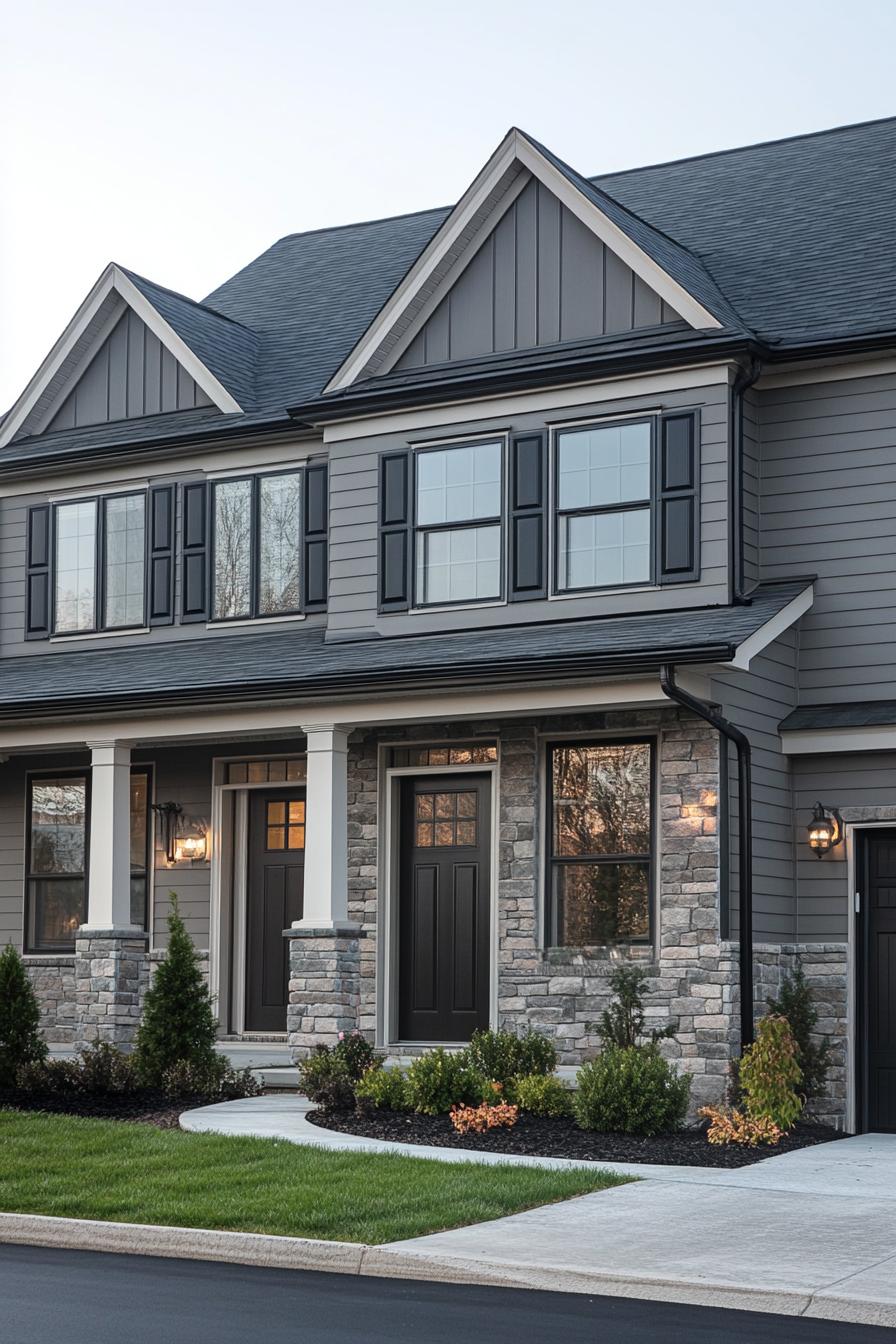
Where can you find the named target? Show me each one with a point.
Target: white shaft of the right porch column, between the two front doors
(326, 904)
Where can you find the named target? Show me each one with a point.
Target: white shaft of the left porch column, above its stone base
(109, 869)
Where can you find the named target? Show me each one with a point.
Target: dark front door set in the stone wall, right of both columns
(444, 908)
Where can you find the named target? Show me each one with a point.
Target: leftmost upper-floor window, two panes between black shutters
(100, 550)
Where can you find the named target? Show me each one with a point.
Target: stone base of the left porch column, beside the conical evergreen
(112, 971)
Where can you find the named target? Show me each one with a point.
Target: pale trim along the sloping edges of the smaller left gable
(114, 279)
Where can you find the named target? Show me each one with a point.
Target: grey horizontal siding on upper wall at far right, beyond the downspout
(830, 509)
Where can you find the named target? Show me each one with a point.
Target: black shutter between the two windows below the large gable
(529, 518)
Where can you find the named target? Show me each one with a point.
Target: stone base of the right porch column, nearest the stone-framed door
(324, 986)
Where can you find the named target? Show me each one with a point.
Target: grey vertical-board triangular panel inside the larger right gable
(541, 278)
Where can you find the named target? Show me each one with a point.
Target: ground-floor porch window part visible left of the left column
(57, 862)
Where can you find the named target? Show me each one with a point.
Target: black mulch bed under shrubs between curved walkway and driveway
(539, 1138)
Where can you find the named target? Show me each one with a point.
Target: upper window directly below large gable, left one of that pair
(457, 549)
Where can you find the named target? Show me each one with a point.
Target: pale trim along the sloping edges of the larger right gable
(515, 153)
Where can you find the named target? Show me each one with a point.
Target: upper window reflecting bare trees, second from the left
(256, 538)
